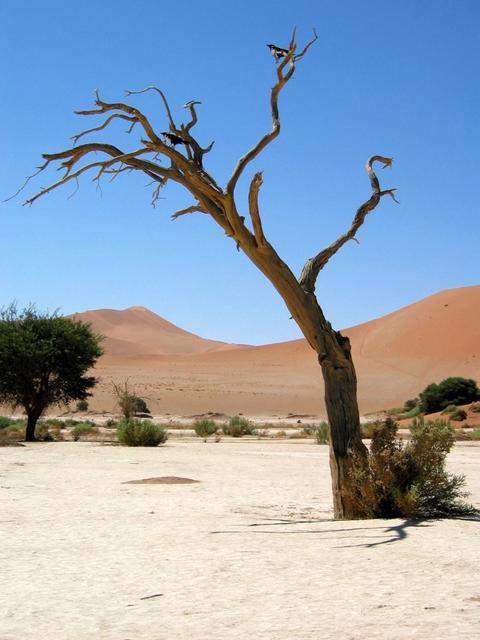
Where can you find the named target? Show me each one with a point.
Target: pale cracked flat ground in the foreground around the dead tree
(247, 551)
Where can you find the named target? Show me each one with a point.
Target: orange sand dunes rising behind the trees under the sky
(180, 373)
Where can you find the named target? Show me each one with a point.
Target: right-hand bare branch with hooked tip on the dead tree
(313, 266)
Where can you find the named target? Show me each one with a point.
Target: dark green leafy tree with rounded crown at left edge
(43, 361)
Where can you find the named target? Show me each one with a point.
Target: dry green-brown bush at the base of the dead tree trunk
(409, 480)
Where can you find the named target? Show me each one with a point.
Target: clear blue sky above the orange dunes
(390, 78)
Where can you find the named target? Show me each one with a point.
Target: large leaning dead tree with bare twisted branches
(184, 165)
